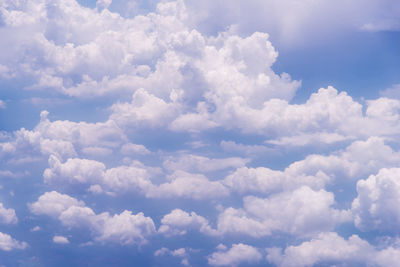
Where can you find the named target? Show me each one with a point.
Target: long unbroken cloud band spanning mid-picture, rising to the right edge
(315, 171)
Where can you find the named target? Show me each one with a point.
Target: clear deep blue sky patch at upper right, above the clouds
(361, 63)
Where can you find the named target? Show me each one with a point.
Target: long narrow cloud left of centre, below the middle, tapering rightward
(95, 178)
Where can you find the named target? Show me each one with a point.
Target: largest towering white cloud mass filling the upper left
(228, 74)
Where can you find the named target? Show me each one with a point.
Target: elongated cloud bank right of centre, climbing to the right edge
(316, 171)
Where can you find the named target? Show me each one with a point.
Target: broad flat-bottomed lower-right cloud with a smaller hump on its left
(303, 212)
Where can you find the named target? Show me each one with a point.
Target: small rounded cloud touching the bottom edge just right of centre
(236, 255)
